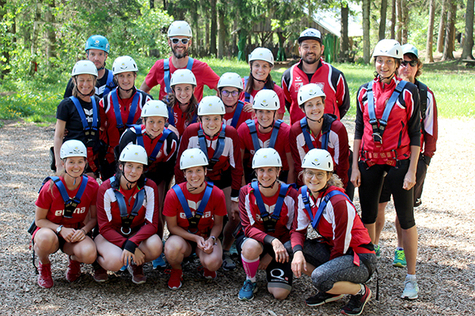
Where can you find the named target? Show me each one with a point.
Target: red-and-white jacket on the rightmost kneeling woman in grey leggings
(340, 226)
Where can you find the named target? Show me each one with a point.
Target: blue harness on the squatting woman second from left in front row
(124, 214)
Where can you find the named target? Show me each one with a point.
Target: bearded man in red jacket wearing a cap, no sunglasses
(312, 69)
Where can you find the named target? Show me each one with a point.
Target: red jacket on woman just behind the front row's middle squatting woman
(230, 158)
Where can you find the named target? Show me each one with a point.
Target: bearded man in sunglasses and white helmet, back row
(179, 40)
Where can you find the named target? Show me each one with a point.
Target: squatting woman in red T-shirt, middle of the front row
(194, 212)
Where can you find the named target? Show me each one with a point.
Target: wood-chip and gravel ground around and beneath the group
(446, 261)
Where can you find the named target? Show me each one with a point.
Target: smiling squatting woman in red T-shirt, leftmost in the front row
(64, 224)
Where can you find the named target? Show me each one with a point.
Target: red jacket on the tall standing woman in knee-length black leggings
(404, 123)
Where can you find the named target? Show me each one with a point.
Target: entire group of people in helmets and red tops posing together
(242, 175)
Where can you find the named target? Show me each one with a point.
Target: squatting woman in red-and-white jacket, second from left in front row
(128, 218)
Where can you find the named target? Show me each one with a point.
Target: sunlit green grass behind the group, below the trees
(36, 100)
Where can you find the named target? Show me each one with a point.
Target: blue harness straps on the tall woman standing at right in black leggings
(378, 131)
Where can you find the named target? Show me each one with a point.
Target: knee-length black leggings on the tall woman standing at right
(372, 180)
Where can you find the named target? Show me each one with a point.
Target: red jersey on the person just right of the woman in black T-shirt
(111, 133)
